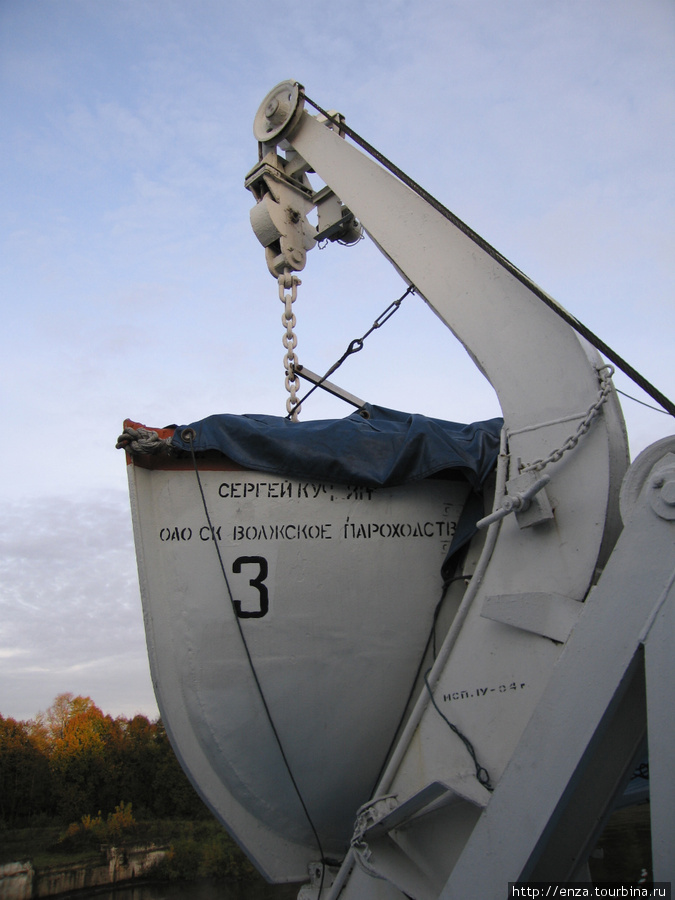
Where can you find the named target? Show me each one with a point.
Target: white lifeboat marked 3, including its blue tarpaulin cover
(288, 602)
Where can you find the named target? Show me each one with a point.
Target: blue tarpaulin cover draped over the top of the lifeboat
(380, 448)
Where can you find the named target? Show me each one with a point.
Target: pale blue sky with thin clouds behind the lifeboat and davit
(133, 286)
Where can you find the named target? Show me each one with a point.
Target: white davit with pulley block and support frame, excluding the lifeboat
(521, 655)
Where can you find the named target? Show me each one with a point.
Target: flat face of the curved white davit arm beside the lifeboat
(489, 675)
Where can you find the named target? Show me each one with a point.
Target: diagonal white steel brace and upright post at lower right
(632, 604)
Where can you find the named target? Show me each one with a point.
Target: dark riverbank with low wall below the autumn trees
(38, 863)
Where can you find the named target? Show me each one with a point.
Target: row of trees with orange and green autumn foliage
(74, 761)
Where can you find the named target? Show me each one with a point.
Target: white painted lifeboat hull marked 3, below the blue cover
(350, 578)
